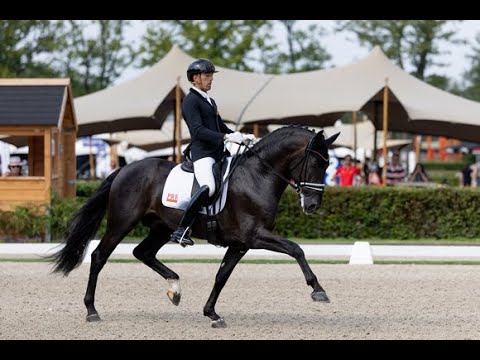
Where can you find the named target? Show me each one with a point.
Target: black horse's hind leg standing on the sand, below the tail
(114, 234)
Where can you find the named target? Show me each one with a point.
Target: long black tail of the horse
(82, 227)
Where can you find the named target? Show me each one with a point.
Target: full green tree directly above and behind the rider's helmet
(228, 43)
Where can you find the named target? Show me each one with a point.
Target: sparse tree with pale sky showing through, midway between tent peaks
(304, 51)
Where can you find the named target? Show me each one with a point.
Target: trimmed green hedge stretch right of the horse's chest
(384, 213)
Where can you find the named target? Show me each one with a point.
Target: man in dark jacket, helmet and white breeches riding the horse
(208, 133)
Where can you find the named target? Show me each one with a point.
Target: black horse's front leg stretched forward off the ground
(269, 241)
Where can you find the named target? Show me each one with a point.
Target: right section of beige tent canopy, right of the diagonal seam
(317, 98)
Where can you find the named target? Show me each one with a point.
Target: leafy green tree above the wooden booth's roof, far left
(27, 47)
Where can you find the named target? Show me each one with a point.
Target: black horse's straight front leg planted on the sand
(230, 260)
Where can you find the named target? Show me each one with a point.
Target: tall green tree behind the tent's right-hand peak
(409, 43)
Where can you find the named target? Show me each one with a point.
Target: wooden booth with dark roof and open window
(39, 113)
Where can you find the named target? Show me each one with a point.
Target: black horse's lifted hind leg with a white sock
(146, 251)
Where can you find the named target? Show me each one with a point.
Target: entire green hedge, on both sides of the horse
(357, 213)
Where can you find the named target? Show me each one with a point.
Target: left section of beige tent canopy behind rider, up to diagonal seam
(145, 101)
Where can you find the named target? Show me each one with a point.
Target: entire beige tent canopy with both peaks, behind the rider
(315, 98)
